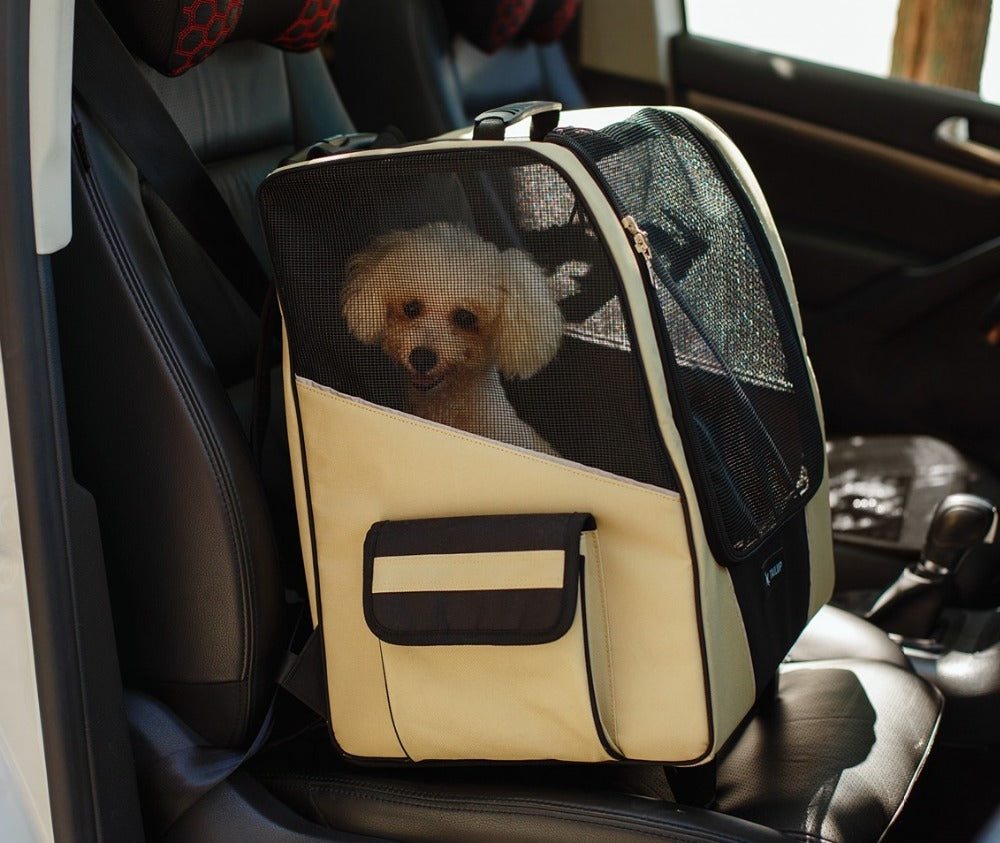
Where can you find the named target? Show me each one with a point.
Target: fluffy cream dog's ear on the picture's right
(530, 325)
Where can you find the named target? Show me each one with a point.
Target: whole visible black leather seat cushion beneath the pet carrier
(832, 759)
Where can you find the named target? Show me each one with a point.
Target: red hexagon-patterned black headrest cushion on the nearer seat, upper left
(172, 36)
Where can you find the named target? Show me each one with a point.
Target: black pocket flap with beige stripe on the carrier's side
(492, 579)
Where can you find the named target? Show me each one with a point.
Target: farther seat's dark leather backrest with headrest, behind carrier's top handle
(430, 66)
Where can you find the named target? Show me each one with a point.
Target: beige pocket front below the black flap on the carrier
(499, 703)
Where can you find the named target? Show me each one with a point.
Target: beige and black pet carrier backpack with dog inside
(555, 440)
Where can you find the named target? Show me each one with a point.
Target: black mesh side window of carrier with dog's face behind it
(469, 289)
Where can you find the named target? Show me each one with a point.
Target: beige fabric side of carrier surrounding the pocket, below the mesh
(387, 465)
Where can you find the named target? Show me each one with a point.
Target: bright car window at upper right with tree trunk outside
(929, 41)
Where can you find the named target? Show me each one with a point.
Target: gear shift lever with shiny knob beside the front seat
(912, 604)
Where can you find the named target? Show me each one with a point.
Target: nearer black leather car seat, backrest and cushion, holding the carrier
(158, 354)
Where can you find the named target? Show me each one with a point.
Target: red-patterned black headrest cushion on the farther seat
(491, 24)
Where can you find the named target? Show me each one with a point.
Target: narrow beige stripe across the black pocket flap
(469, 571)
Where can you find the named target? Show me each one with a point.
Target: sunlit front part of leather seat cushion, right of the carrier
(836, 755)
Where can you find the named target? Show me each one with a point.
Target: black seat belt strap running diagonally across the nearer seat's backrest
(108, 80)
